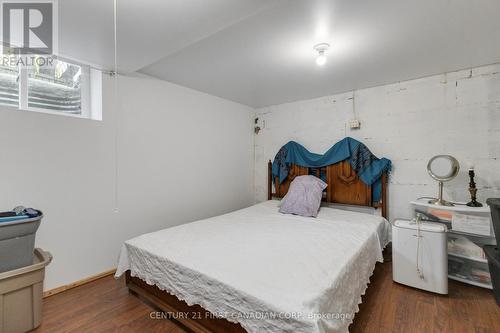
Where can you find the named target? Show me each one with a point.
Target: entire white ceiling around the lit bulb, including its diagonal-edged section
(260, 52)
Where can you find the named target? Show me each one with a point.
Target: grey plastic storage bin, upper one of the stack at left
(17, 241)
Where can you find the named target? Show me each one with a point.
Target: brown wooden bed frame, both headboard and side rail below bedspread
(344, 187)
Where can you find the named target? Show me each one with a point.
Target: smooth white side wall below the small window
(182, 155)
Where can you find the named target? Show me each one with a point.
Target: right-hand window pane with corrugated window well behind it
(55, 87)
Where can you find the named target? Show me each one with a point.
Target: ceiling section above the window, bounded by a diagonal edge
(147, 30)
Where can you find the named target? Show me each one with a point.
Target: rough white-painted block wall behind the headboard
(407, 122)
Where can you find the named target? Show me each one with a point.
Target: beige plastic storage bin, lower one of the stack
(21, 295)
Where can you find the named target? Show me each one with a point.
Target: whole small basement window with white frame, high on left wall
(60, 87)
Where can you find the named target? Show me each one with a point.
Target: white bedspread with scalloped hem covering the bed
(268, 271)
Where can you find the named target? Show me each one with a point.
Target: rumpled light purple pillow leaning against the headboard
(303, 197)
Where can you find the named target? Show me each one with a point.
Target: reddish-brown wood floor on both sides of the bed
(106, 306)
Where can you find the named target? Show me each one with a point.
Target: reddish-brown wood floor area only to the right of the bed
(390, 307)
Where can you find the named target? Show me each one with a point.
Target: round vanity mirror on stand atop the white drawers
(442, 168)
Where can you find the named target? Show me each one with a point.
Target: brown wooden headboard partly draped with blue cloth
(344, 186)
